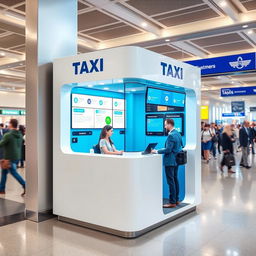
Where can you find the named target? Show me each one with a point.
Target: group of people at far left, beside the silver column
(12, 153)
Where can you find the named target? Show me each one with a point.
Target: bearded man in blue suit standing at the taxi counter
(173, 145)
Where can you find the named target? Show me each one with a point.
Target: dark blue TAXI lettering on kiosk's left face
(90, 66)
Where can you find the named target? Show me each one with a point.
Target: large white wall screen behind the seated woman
(95, 112)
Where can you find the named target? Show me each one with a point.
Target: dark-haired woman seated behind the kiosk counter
(106, 144)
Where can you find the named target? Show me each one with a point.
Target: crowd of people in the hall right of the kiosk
(230, 139)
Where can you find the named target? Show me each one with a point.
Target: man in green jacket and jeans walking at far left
(11, 143)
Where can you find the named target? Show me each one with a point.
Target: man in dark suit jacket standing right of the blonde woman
(244, 143)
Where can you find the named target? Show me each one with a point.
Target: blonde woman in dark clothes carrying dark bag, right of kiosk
(227, 146)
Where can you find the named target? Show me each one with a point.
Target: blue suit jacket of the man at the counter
(173, 145)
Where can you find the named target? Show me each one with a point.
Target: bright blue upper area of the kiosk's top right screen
(165, 98)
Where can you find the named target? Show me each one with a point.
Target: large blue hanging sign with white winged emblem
(226, 64)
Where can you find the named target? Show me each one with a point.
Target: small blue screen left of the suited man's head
(154, 124)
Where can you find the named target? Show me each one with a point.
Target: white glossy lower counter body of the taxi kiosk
(118, 194)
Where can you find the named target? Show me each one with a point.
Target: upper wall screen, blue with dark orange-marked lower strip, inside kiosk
(163, 100)
